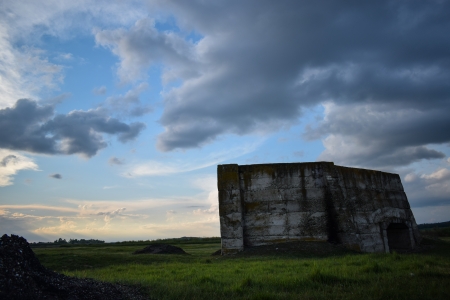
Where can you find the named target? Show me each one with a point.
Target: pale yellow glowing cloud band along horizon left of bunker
(115, 220)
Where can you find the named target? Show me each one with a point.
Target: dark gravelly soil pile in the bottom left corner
(23, 277)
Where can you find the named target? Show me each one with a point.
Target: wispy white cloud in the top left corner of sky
(26, 71)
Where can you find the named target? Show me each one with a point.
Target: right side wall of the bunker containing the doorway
(366, 202)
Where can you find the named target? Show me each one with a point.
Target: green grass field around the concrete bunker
(335, 275)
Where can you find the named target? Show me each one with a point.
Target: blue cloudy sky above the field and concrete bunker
(115, 114)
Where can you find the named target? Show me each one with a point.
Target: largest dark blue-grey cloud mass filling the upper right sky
(259, 64)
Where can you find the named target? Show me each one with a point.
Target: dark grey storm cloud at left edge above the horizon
(30, 127)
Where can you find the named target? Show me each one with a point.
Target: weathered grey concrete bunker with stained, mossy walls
(271, 203)
